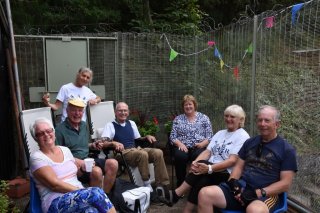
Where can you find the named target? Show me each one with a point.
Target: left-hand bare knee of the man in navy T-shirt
(209, 197)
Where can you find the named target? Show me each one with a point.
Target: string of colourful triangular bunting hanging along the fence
(269, 23)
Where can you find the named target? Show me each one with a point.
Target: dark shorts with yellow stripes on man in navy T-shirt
(233, 204)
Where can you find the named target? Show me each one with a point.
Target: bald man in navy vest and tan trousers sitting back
(122, 133)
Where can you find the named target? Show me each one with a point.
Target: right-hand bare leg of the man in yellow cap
(111, 168)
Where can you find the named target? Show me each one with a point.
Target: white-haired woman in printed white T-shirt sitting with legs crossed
(214, 165)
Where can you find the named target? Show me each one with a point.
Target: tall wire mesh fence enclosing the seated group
(272, 59)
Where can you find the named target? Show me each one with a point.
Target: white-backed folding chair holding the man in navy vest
(98, 116)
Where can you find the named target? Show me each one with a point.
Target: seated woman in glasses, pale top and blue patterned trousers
(54, 171)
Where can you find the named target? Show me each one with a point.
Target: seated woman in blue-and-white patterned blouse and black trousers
(190, 135)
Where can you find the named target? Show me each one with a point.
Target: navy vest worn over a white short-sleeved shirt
(124, 134)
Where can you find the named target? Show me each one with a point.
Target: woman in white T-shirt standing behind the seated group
(78, 89)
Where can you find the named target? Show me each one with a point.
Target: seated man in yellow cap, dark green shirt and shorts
(73, 133)
